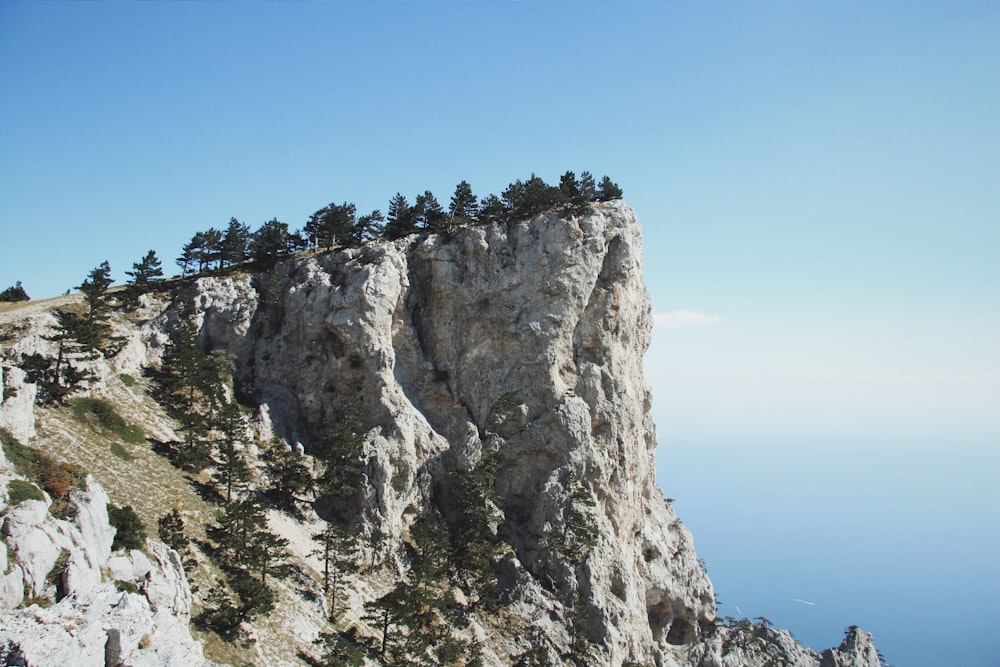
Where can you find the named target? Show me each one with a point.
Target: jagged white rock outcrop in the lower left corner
(66, 599)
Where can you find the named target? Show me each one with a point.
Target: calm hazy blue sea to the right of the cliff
(902, 539)
